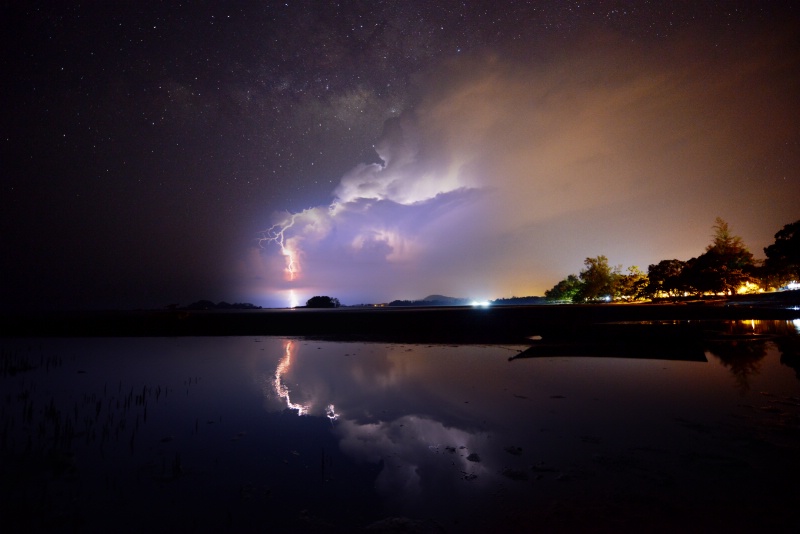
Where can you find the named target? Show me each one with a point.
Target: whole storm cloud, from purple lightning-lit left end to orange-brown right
(509, 172)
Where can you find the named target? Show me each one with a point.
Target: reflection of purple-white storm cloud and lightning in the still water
(390, 414)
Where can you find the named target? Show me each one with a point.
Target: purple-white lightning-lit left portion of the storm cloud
(378, 220)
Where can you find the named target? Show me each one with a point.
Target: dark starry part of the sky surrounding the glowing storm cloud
(146, 145)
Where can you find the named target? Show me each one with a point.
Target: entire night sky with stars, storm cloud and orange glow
(477, 149)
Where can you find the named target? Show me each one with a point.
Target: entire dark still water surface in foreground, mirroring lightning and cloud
(252, 433)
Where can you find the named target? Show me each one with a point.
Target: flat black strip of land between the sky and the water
(502, 324)
